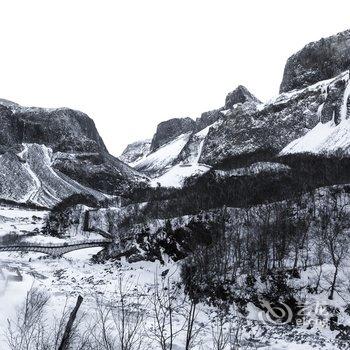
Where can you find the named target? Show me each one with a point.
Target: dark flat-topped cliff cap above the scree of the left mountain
(61, 129)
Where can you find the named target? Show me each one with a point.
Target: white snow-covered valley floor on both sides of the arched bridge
(75, 274)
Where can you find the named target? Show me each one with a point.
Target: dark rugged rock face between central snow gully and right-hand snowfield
(269, 129)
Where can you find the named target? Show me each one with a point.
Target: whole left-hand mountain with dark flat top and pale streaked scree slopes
(56, 153)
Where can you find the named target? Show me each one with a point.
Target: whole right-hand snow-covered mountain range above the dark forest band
(311, 115)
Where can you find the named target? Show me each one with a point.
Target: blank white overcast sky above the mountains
(131, 64)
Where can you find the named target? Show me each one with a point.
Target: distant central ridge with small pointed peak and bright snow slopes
(179, 142)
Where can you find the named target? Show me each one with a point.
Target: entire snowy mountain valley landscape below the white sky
(230, 231)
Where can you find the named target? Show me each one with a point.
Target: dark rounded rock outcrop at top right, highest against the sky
(320, 60)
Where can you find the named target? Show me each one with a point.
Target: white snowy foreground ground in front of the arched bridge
(75, 275)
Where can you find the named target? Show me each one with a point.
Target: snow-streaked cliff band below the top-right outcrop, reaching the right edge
(278, 123)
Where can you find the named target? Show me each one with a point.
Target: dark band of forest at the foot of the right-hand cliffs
(307, 173)
